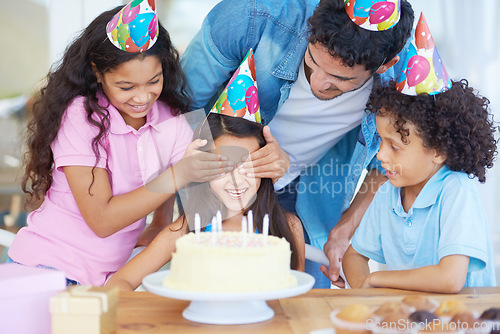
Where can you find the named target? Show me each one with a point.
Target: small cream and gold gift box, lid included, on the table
(84, 310)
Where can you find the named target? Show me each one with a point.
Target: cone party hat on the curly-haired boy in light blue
(423, 69)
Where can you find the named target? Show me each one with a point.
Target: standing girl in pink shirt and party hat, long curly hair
(107, 122)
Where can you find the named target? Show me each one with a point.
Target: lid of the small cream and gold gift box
(85, 300)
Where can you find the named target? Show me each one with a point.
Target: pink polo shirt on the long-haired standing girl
(56, 235)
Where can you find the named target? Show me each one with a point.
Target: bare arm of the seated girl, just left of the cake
(155, 256)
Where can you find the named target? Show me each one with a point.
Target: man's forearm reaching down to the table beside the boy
(338, 239)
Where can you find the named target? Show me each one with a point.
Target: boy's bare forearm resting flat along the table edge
(448, 276)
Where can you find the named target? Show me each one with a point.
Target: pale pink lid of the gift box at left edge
(17, 280)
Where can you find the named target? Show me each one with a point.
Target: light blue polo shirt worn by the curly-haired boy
(447, 218)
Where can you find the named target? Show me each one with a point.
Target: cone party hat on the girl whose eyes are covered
(240, 98)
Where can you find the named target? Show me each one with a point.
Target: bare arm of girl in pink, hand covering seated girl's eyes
(106, 214)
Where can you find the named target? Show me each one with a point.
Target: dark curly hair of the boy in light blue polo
(456, 123)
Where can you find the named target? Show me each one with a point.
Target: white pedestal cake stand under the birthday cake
(227, 308)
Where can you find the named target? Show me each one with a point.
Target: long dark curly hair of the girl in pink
(74, 77)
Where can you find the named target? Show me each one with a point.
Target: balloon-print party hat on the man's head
(375, 15)
